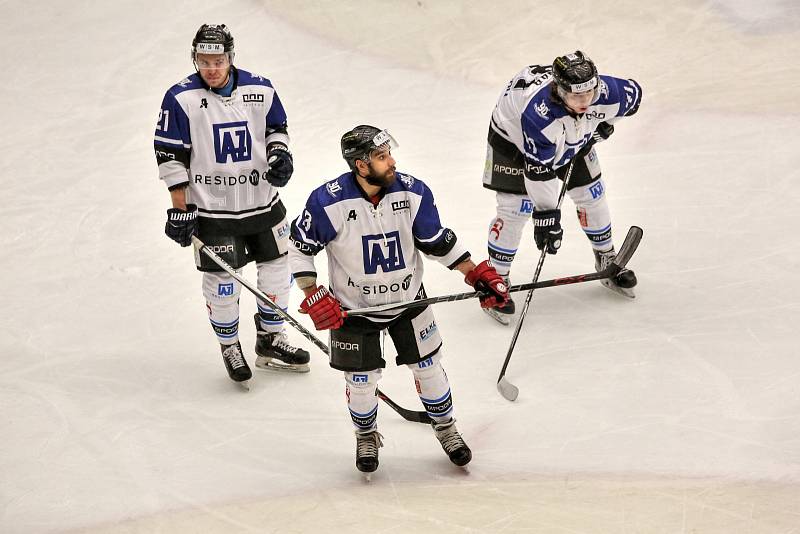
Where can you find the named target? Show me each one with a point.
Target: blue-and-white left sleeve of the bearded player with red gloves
(310, 232)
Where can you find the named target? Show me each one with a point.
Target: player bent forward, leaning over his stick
(546, 117)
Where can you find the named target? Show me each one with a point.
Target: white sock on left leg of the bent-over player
(505, 230)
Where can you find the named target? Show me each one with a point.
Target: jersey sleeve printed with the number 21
(172, 143)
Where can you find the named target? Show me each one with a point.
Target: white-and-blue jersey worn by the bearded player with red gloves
(373, 250)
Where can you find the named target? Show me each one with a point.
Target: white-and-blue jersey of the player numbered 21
(217, 146)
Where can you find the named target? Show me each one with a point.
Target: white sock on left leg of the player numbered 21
(221, 291)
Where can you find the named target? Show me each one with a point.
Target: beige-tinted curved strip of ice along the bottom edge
(559, 503)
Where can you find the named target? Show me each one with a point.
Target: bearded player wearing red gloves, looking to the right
(373, 223)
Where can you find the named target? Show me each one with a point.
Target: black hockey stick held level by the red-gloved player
(625, 252)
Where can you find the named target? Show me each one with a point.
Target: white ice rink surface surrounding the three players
(678, 412)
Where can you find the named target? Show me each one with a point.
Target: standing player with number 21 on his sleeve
(222, 150)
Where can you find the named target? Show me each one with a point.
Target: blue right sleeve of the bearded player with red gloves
(430, 237)
